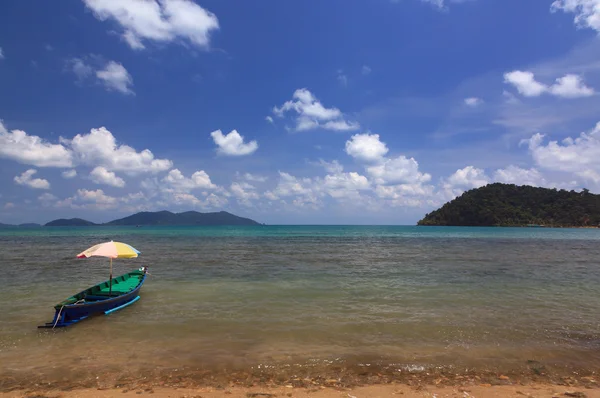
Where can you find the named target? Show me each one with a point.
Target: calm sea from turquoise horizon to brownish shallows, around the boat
(304, 305)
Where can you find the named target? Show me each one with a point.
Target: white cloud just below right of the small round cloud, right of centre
(400, 170)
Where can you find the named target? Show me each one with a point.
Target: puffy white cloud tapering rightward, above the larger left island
(99, 148)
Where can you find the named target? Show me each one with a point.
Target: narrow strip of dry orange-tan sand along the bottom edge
(375, 391)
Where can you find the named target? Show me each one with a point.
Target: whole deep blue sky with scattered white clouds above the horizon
(324, 112)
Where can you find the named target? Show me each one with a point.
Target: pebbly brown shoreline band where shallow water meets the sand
(319, 384)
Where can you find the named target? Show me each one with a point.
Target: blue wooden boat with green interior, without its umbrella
(99, 299)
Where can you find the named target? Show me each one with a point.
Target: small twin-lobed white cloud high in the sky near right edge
(568, 86)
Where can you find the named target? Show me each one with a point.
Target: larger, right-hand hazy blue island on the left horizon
(186, 218)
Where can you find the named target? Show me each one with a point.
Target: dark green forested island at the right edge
(511, 205)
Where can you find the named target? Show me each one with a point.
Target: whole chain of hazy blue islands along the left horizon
(147, 218)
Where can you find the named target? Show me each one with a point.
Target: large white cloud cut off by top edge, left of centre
(161, 21)
